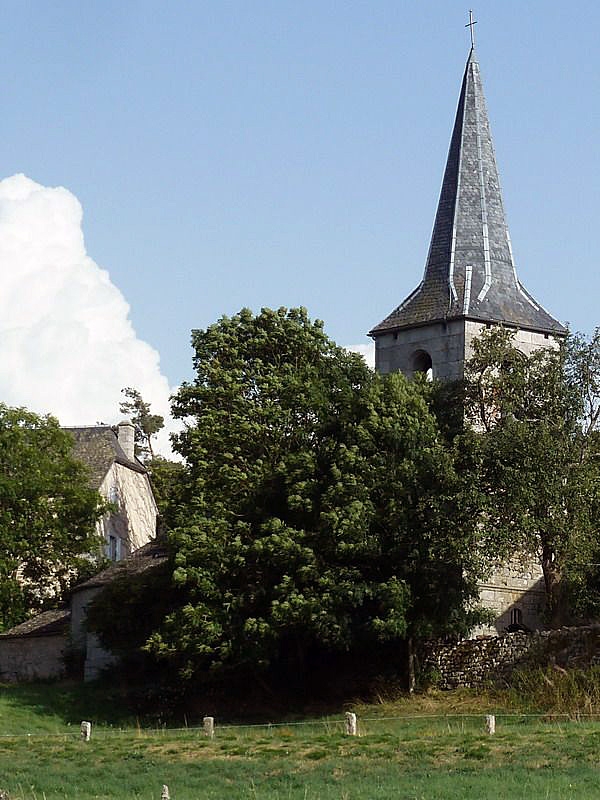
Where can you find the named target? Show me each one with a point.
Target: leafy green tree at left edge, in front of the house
(47, 513)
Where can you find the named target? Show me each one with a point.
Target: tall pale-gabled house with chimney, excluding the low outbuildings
(122, 480)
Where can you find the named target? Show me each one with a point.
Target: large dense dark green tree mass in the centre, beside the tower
(322, 509)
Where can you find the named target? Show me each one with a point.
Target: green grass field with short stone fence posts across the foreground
(429, 747)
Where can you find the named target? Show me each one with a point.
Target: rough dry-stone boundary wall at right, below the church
(491, 659)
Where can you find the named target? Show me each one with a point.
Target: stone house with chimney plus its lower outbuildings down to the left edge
(36, 648)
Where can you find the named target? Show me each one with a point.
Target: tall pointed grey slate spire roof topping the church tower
(470, 270)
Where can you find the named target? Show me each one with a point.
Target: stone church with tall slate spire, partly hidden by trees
(470, 283)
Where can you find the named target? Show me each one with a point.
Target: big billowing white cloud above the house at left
(67, 345)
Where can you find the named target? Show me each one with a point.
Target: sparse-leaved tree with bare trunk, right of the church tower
(537, 455)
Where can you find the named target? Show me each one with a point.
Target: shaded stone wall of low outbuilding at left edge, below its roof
(30, 658)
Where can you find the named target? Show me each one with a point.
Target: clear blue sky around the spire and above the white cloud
(231, 154)
